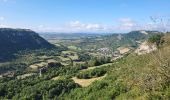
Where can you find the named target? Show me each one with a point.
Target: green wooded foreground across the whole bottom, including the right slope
(135, 77)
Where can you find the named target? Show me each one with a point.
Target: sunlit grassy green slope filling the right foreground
(135, 77)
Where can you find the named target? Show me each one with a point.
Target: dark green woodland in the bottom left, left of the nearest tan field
(36, 87)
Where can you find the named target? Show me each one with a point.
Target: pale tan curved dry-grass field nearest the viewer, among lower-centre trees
(86, 82)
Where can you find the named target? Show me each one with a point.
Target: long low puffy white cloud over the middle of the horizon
(75, 26)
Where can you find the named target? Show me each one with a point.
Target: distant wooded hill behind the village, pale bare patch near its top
(131, 39)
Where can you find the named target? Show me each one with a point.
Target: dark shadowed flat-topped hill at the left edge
(14, 40)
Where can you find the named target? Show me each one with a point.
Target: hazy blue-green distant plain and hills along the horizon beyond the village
(96, 41)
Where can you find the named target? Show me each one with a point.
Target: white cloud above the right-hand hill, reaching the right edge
(128, 24)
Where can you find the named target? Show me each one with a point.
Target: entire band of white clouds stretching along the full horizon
(122, 25)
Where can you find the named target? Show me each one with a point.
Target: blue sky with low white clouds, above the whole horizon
(95, 16)
